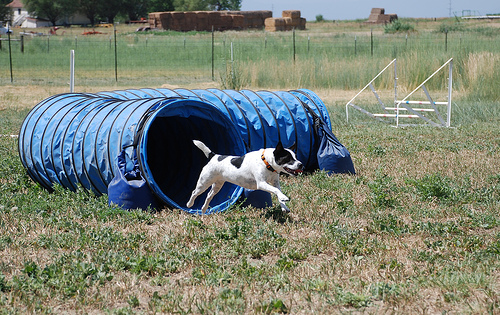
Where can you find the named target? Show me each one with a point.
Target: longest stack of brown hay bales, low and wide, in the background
(205, 20)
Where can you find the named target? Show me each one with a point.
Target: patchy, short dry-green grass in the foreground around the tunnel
(405, 225)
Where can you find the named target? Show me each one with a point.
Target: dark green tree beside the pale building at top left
(53, 10)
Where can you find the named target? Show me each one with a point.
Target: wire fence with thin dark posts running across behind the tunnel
(205, 56)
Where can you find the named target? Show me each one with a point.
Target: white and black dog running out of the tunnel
(257, 170)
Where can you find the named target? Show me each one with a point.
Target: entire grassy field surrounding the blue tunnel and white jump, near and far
(417, 230)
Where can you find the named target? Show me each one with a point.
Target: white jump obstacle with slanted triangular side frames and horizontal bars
(427, 111)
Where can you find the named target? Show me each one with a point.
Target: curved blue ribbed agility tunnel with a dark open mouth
(75, 139)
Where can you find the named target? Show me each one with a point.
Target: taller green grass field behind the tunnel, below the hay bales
(327, 55)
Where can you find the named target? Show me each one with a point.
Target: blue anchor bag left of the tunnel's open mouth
(128, 189)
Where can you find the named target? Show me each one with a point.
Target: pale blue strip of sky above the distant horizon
(360, 9)
